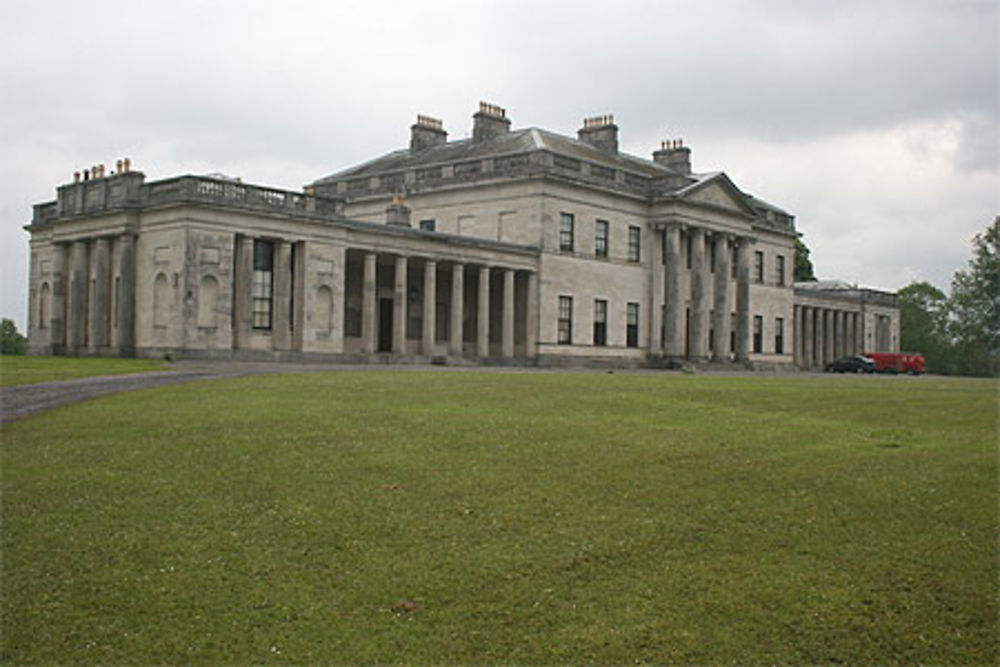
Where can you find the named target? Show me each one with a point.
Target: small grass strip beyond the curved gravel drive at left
(19, 369)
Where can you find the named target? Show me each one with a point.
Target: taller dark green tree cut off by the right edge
(975, 306)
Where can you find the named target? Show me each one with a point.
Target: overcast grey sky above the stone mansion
(877, 123)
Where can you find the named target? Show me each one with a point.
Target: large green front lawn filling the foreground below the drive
(502, 517)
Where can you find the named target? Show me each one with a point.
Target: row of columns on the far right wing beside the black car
(823, 334)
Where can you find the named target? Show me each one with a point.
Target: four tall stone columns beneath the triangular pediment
(673, 332)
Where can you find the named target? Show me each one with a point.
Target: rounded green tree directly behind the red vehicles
(923, 313)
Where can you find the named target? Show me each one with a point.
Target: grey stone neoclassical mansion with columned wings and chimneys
(511, 246)
